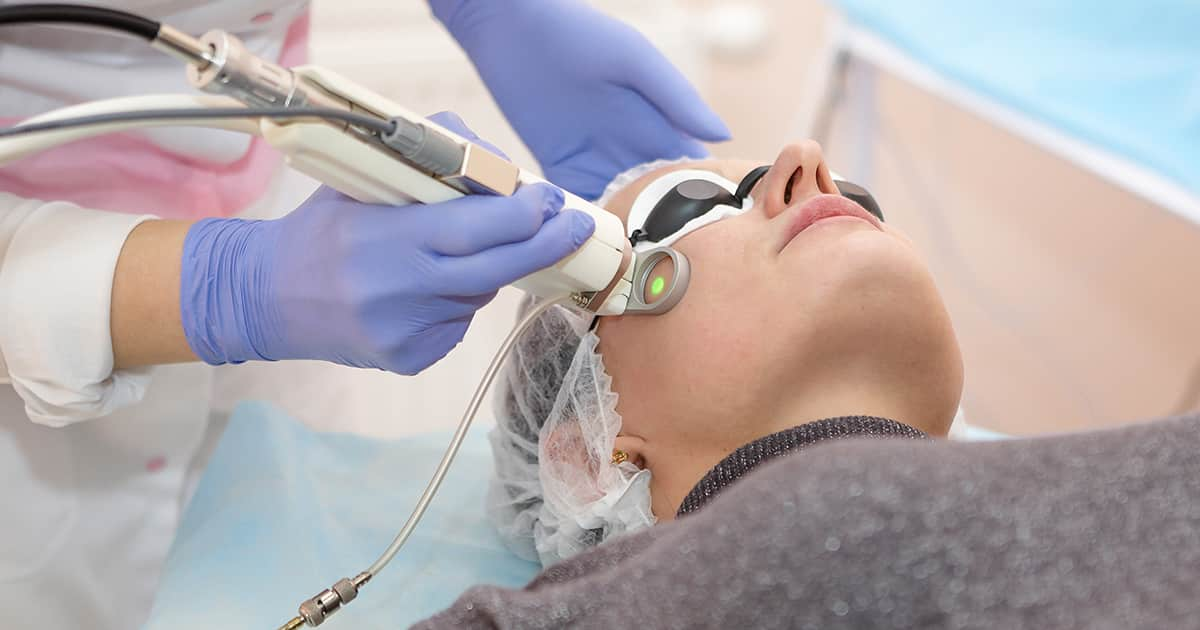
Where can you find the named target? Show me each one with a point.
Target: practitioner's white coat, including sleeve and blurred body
(94, 465)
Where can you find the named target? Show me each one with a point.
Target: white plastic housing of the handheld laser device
(371, 175)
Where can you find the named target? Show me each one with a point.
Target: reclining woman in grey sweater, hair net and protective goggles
(695, 470)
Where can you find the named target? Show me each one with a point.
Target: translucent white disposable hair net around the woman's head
(556, 491)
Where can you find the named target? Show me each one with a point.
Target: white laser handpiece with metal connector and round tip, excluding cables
(418, 161)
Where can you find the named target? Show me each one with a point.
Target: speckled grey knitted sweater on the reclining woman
(1095, 531)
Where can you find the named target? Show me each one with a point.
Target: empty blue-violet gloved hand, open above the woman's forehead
(589, 94)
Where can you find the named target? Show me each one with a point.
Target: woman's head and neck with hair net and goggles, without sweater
(793, 332)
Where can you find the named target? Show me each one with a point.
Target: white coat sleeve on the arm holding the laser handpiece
(57, 267)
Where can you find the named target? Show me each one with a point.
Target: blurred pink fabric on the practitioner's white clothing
(125, 173)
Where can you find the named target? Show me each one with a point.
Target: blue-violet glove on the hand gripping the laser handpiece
(367, 286)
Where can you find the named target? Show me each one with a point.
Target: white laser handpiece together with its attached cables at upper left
(373, 151)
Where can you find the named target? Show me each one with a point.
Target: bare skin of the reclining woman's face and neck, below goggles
(783, 326)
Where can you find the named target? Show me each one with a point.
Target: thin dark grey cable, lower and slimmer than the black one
(365, 122)
